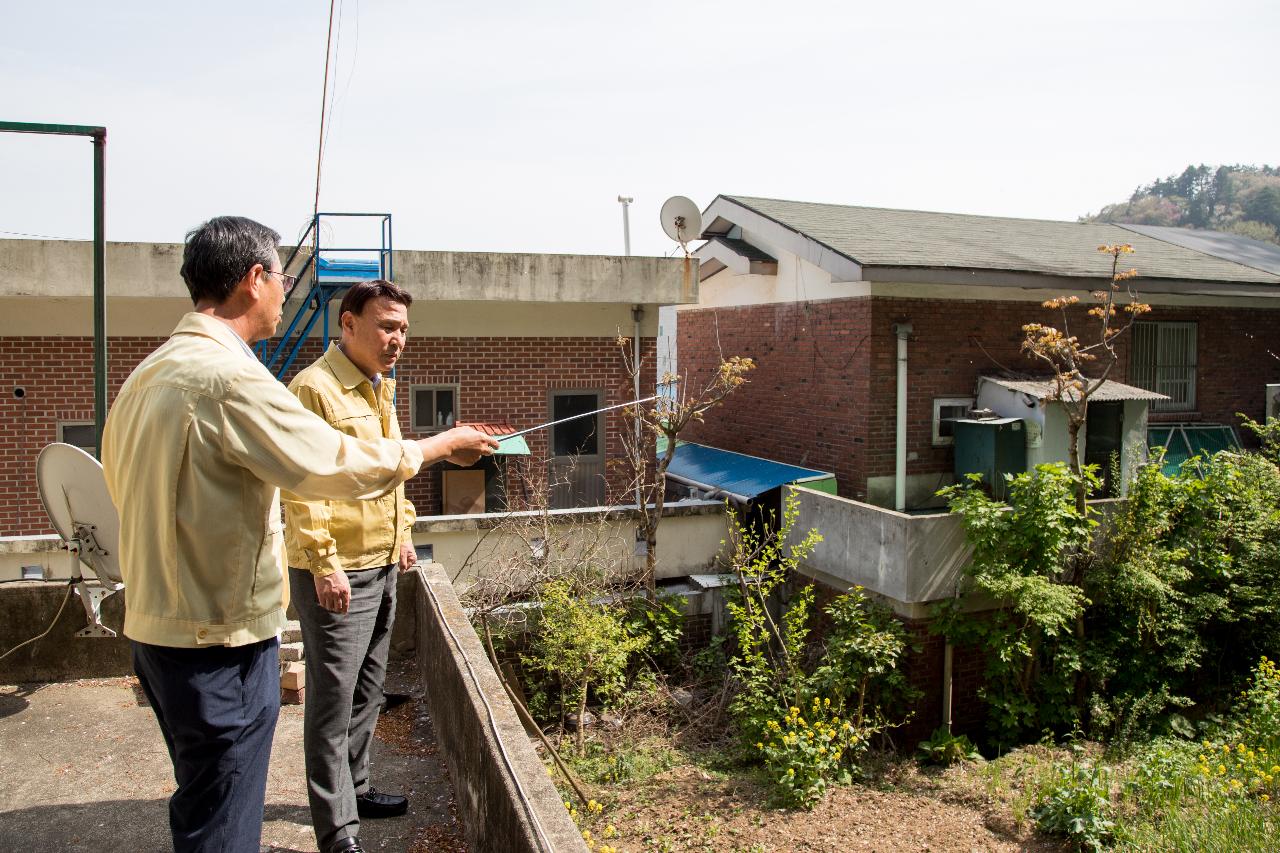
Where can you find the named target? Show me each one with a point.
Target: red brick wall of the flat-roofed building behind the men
(500, 378)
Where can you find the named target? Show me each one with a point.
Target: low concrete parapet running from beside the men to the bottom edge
(486, 747)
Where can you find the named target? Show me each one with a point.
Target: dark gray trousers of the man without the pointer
(346, 663)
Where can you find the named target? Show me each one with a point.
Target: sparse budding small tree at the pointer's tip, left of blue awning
(669, 417)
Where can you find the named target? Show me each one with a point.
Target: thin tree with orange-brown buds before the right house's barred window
(1068, 357)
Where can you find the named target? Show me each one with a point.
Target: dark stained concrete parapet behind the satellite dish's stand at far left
(26, 610)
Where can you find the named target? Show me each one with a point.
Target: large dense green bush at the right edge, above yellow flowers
(1186, 592)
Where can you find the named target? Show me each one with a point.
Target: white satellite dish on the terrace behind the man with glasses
(74, 490)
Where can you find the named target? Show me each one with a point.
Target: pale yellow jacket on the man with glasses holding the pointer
(195, 450)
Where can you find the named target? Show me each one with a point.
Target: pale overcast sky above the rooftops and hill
(515, 126)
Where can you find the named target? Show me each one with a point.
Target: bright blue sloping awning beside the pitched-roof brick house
(739, 476)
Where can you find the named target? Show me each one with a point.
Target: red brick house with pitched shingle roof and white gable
(815, 293)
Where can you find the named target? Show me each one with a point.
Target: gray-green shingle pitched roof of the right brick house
(885, 238)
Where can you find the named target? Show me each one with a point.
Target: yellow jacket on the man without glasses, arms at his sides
(327, 536)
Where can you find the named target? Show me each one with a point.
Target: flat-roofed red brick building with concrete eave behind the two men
(493, 339)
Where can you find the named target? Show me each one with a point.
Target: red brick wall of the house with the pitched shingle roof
(825, 394)
